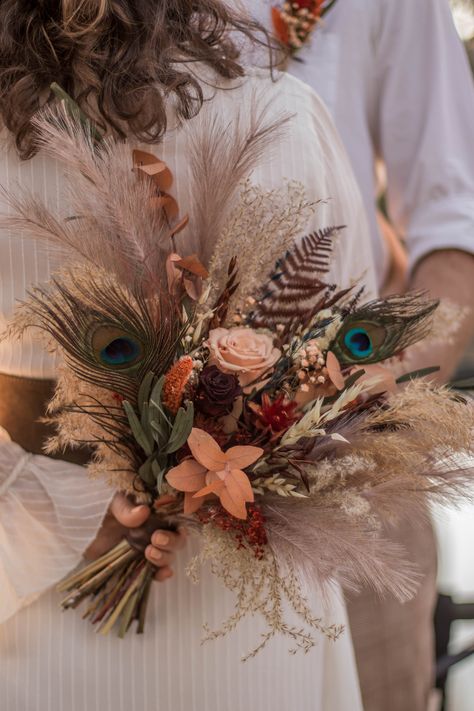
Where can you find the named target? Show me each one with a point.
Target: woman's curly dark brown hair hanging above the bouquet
(119, 59)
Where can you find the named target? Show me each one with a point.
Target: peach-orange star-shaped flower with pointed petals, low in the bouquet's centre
(214, 472)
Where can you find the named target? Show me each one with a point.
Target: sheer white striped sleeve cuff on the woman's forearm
(49, 514)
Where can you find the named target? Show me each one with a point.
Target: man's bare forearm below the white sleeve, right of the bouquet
(446, 275)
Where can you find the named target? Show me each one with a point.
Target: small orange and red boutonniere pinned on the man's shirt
(294, 22)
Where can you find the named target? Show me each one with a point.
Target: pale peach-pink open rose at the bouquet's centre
(242, 351)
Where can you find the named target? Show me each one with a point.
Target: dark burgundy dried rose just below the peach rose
(217, 391)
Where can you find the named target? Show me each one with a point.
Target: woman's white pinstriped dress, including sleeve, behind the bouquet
(49, 512)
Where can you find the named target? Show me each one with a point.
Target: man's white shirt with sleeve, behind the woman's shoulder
(396, 79)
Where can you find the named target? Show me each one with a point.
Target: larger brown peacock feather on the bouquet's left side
(110, 337)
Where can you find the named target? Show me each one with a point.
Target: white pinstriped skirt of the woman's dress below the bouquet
(66, 665)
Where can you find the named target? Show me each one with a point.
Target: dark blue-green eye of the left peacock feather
(115, 348)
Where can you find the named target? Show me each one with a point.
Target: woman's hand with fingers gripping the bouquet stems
(123, 515)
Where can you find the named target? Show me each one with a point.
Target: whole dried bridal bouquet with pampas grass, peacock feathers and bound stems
(224, 380)
